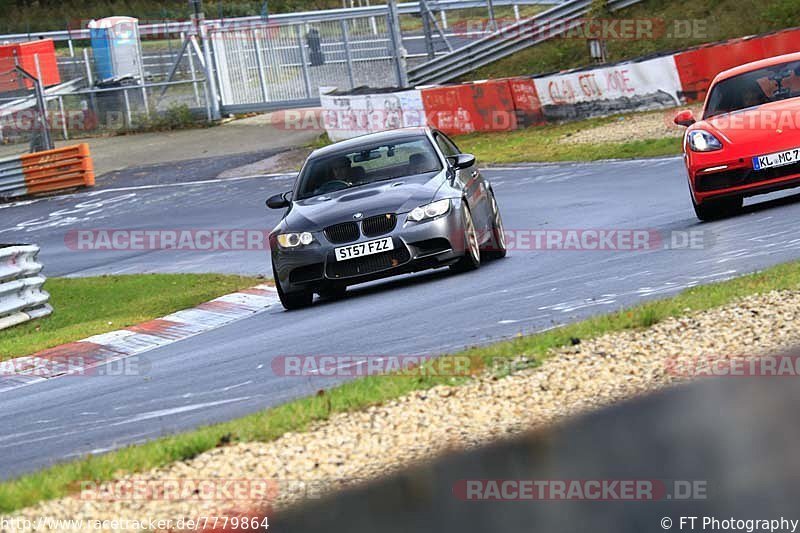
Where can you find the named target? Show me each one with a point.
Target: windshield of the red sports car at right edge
(754, 88)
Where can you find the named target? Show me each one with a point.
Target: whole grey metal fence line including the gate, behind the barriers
(249, 65)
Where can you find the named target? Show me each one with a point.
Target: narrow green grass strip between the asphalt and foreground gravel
(298, 415)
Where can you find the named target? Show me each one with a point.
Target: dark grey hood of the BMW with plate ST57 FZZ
(399, 195)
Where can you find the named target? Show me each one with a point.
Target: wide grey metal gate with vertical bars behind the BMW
(284, 65)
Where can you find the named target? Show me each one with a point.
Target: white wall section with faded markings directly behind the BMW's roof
(347, 116)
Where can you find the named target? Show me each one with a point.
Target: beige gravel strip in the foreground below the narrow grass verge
(353, 447)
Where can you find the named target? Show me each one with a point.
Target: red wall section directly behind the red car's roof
(698, 66)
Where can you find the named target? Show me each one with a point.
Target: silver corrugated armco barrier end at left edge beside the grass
(21, 294)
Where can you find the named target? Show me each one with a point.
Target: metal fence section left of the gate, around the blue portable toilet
(171, 92)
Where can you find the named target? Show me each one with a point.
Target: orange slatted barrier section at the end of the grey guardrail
(62, 168)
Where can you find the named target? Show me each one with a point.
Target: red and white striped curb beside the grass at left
(78, 357)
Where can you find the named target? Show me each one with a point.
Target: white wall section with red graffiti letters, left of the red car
(655, 81)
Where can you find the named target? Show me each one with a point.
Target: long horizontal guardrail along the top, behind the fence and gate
(174, 28)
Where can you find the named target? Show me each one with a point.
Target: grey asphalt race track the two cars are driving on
(226, 373)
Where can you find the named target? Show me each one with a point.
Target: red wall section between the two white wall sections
(459, 109)
